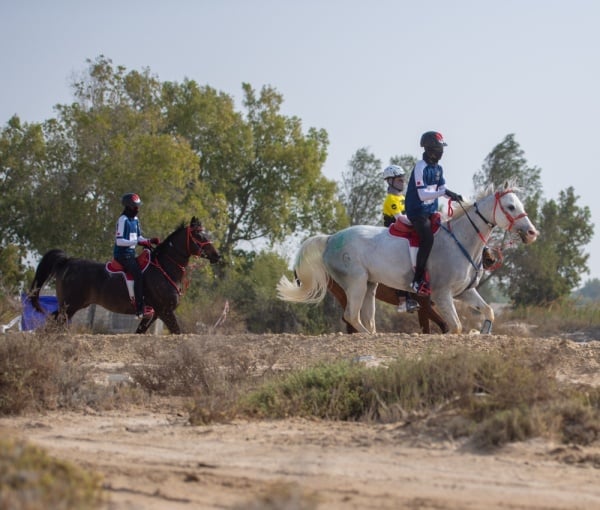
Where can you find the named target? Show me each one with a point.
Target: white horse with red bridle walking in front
(361, 256)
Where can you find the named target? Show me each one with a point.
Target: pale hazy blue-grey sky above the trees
(374, 74)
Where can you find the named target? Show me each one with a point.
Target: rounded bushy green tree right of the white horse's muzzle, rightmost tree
(551, 268)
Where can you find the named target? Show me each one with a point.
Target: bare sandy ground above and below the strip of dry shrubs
(151, 457)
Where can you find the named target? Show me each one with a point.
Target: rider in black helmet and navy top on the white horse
(425, 185)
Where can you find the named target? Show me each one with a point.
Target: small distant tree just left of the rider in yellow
(363, 190)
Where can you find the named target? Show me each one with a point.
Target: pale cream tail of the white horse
(311, 277)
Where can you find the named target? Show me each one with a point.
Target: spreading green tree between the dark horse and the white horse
(259, 164)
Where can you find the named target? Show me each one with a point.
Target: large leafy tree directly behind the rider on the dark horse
(108, 142)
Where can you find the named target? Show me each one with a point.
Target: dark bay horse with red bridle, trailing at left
(81, 282)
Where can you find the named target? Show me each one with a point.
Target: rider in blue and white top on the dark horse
(128, 235)
